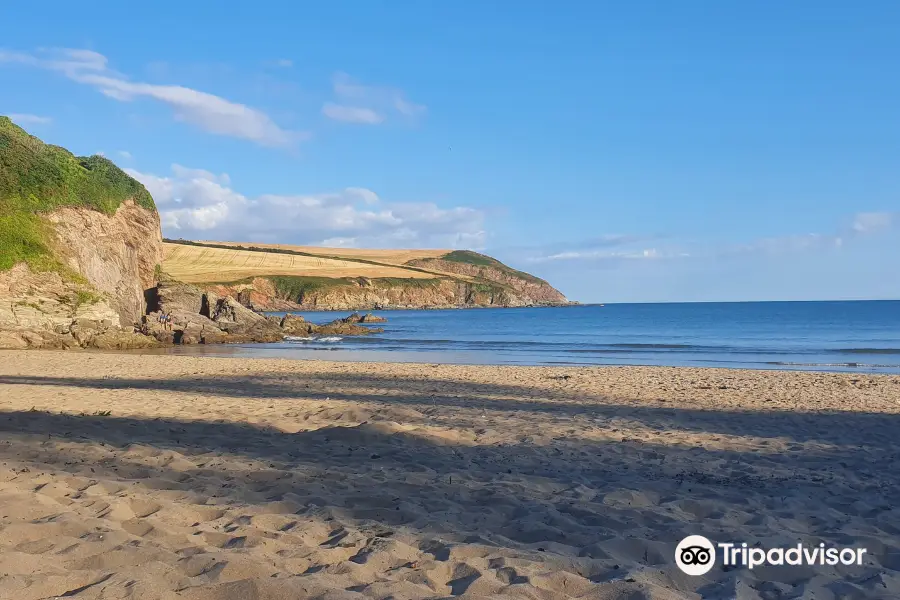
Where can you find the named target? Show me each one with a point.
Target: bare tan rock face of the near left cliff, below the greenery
(110, 261)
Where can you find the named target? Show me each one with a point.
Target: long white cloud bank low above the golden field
(195, 203)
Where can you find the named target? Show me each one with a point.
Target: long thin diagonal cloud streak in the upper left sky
(207, 111)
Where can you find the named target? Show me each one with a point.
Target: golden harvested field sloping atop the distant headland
(197, 264)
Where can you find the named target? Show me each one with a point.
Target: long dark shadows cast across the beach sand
(571, 496)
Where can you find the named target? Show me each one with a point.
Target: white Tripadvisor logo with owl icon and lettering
(696, 555)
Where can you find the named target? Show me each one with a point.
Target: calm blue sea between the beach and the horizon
(856, 336)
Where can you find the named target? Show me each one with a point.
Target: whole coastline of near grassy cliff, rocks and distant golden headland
(81, 258)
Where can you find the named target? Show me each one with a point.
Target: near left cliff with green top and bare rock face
(80, 245)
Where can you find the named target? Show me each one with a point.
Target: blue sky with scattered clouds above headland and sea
(647, 151)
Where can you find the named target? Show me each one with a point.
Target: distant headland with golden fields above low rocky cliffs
(309, 278)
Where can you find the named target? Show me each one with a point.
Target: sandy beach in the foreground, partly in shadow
(146, 477)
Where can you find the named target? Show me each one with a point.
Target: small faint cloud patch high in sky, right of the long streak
(368, 104)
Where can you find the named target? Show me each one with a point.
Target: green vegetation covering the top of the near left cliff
(36, 177)
